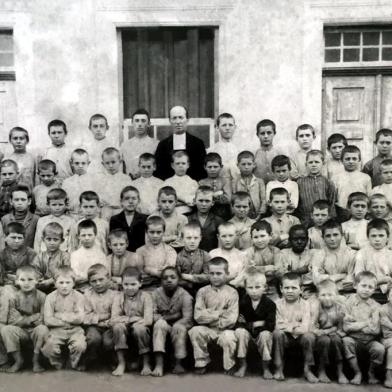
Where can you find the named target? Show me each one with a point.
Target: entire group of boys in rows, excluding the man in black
(276, 251)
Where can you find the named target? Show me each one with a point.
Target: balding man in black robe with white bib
(180, 140)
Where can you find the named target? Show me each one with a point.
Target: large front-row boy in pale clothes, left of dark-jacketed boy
(216, 313)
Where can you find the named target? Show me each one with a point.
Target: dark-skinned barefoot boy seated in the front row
(173, 314)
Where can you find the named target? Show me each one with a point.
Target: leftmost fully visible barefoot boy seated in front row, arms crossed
(25, 322)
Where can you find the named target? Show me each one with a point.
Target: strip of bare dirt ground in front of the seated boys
(70, 381)
